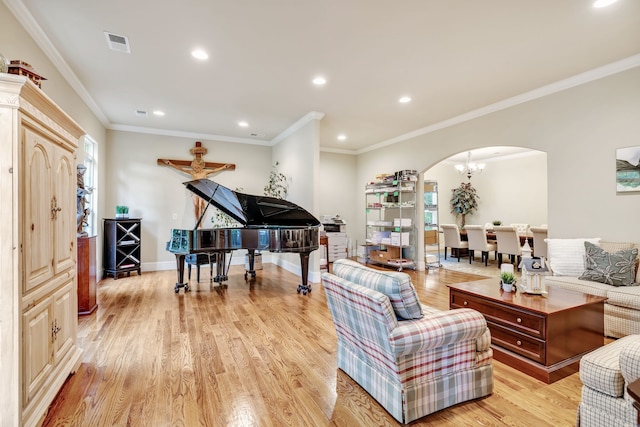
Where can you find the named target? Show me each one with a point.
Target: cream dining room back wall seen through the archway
(512, 190)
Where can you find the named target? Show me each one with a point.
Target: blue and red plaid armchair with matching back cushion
(413, 359)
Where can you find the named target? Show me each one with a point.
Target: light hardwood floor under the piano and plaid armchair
(255, 354)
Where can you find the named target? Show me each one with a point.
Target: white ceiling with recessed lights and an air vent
(452, 57)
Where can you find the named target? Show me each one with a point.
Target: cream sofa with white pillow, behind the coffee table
(568, 261)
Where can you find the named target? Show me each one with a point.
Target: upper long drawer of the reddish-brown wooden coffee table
(519, 320)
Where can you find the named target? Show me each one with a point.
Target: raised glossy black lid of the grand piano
(251, 210)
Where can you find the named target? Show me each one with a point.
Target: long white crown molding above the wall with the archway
(559, 86)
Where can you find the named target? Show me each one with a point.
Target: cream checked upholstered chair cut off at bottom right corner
(605, 374)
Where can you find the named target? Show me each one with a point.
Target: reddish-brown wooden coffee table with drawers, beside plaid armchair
(542, 336)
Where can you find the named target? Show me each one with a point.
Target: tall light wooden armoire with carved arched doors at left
(38, 314)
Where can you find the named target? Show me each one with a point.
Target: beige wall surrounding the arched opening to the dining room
(579, 129)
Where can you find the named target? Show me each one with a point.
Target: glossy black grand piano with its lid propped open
(268, 224)
